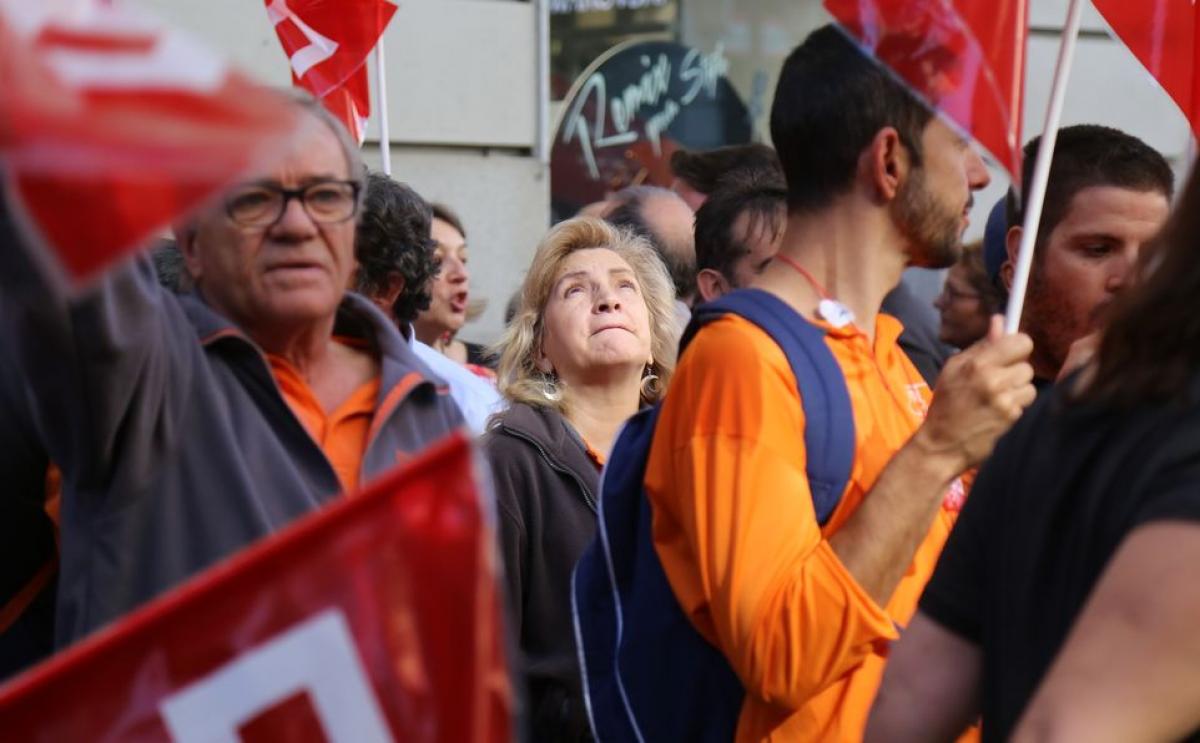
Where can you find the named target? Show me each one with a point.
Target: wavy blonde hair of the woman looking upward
(520, 380)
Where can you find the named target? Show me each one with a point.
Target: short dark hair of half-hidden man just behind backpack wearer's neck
(760, 194)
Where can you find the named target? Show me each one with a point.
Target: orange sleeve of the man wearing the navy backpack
(735, 528)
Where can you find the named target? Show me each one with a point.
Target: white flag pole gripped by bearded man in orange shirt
(1036, 197)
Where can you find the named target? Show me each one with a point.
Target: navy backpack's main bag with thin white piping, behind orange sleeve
(649, 676)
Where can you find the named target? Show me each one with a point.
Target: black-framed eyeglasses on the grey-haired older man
(261, 206)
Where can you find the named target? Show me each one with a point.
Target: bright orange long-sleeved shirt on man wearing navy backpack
(736, 531)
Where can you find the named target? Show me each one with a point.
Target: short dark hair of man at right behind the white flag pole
(1089, 155)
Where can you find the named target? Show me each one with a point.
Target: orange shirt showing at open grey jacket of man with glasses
(341, 434)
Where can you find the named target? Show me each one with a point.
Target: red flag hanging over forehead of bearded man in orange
(964, 58)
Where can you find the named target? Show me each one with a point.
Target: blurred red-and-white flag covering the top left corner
(112, 127)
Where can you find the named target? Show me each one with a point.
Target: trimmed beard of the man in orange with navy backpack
(932, 229)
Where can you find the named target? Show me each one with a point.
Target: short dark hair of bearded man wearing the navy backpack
(831, 101)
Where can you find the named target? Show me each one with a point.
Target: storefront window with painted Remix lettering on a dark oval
(641, 62)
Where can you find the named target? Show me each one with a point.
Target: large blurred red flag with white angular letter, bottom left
(376, 620)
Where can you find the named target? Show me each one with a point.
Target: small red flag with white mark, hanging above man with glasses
(327, 45)
